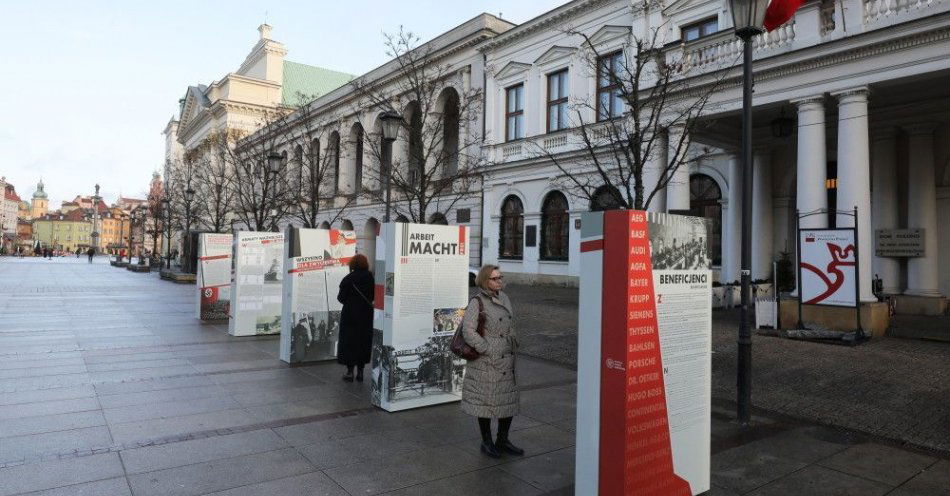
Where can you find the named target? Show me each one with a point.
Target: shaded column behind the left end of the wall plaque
(884, 201)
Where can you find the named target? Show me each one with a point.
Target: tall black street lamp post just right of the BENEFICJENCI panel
(748, 18)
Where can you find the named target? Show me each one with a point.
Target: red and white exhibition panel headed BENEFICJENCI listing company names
(644, 355)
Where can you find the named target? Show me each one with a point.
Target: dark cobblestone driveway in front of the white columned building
(897, 389)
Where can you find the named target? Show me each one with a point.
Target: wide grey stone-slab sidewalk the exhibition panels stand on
(109, 386)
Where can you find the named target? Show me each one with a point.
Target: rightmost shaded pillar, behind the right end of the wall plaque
(922, 272)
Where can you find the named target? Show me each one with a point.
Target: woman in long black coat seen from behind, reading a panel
(356, 319)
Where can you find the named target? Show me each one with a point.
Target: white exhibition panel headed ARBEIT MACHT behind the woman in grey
(421, 295)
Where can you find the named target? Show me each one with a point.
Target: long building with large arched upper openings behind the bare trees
(345, 124)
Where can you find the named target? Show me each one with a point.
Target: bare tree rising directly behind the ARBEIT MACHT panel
(435, 159)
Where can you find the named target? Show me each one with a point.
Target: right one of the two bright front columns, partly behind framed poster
(854, 177)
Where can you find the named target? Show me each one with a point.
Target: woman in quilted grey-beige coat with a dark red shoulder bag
(490, 389)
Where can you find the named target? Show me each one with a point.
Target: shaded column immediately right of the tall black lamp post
(762, 214)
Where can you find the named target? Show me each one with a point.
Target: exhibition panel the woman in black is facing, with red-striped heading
(315, 262)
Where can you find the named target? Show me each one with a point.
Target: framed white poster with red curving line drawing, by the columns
(827, 259)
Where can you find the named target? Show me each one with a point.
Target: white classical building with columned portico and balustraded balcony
(867, 80)
